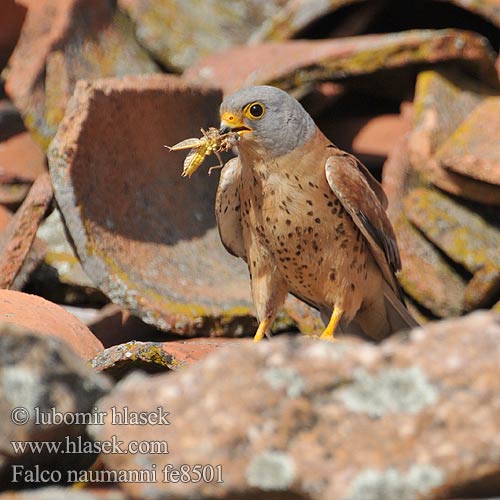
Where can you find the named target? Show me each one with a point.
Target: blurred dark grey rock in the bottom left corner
(47, 393)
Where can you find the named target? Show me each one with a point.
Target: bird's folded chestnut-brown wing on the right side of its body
(351, 187)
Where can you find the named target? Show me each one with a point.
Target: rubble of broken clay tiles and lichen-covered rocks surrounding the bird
(112, 262)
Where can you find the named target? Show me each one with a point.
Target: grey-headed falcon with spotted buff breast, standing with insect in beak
(308, 219)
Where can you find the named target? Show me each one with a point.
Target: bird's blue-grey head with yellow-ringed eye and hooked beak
(269, 116)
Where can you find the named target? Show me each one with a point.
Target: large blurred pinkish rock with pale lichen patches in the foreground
(298, 418)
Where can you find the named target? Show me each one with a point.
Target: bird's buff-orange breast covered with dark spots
(299, 225)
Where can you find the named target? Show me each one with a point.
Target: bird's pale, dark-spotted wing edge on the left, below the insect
(227, 209)
